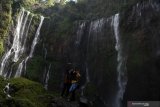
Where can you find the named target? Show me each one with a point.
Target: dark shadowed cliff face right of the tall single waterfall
(139, 27)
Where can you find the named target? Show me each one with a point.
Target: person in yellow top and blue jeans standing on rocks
(75, 77)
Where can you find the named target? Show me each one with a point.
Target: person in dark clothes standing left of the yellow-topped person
(67, 80)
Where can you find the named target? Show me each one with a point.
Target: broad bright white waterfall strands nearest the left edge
(17, 42)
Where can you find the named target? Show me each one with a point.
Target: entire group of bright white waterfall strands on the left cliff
(18, 47)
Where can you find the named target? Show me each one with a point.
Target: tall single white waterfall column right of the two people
(121, 68)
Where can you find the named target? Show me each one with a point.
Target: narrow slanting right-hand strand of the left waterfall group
(24, 62)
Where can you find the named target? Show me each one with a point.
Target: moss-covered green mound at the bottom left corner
(25, 93)
